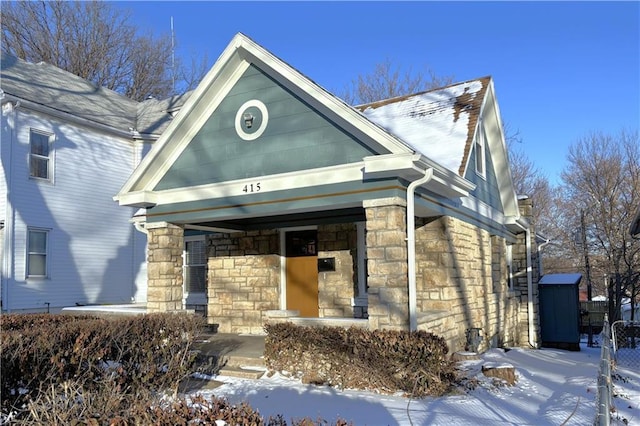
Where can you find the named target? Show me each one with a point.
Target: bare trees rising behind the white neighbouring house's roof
(93, 40)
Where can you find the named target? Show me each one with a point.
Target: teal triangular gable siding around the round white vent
(297, 137)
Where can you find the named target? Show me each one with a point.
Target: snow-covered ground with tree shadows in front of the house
(554, 387)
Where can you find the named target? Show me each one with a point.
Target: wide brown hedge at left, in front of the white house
(40, 352)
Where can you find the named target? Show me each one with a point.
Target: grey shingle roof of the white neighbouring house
(62, 92)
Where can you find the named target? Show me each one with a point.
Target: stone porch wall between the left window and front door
(243, 280)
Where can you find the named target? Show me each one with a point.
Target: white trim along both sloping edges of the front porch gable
(400, 159)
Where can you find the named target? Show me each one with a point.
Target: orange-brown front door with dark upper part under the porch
(302, 272)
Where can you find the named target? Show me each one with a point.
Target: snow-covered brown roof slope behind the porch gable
(439, 124)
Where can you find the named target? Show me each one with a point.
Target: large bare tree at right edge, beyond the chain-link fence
(602, 183)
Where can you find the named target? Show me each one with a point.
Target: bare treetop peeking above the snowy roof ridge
(388, 81)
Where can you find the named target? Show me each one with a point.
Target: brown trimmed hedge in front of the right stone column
(388, 361)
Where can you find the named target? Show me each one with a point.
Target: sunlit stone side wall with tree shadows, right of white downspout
(462, 281)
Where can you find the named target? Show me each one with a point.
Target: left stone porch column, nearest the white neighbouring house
(164, 267)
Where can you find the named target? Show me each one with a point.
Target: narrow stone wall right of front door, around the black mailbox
(337, 288)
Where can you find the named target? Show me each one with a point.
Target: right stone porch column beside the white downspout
(387, 264)
